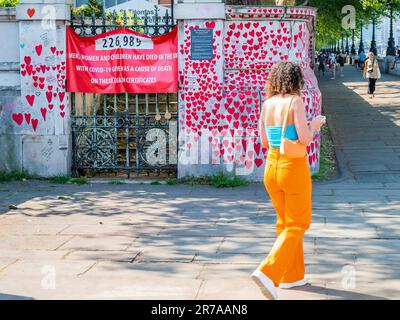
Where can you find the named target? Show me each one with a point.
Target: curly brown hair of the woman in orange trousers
(284, 78)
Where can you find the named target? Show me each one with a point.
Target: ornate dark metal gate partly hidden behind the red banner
(112, 133)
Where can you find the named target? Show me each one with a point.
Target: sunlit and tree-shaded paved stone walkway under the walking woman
(140, 241)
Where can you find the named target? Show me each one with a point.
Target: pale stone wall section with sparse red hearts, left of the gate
(34, 107)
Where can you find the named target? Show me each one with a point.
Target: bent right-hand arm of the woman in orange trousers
(305, 132)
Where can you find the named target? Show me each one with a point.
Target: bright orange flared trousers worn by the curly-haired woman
(288, 182)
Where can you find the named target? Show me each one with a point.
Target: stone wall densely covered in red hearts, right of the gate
(220, 99)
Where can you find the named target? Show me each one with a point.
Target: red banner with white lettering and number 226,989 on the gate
(122, 61)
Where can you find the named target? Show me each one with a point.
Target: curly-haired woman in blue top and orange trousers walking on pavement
(285, 132)
